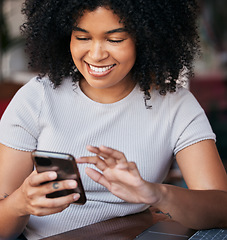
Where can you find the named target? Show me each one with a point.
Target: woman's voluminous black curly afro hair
(165, 34)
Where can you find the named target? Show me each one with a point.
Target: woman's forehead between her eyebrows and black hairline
(101, 17)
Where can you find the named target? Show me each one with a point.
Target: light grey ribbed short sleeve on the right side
(188, 121)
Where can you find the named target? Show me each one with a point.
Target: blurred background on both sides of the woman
(209, 85)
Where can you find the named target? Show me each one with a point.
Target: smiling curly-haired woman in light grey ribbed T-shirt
(110, 75)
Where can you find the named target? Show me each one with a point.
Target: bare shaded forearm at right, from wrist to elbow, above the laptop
(196, 209)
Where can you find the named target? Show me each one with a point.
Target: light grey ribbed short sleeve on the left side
(19, 125)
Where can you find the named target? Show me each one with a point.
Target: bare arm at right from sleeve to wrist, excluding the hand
(202, 169)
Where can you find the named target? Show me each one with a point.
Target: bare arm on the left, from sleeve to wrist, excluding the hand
(10, 162)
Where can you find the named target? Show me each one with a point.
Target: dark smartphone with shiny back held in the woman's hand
(66, 168)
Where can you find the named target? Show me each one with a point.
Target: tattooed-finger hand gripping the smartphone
(32, 194)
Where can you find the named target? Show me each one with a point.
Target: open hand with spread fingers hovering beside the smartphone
(119, 176)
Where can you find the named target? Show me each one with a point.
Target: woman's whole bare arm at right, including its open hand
(201, 206)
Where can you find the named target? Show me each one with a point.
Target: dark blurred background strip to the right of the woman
(210, 82)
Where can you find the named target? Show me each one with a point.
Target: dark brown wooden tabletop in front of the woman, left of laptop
(120, 228)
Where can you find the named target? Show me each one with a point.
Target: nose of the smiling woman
(97, 51)
